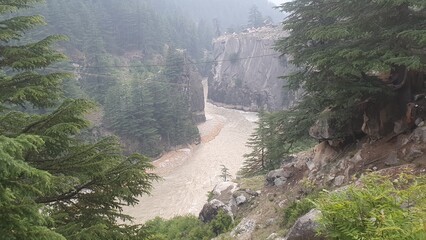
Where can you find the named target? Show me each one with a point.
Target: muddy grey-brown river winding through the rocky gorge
(189, 173)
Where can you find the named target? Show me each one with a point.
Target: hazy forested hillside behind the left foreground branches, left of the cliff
(121, 53)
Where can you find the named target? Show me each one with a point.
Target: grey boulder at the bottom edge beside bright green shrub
(305, 227)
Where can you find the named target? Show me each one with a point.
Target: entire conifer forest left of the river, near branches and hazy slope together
(59, 180)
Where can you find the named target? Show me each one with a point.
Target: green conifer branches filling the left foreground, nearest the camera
(53, 183)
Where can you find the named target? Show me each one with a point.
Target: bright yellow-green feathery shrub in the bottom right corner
(380, 208)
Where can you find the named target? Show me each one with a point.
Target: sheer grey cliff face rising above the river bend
(247, 70)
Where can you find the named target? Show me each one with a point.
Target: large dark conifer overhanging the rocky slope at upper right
(340, 48)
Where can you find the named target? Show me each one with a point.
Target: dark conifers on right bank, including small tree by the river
(349, 70)
